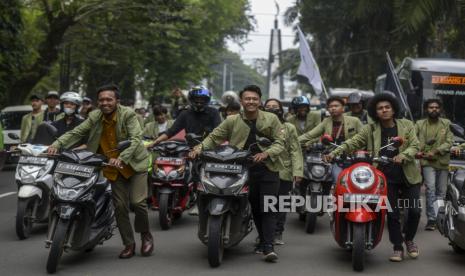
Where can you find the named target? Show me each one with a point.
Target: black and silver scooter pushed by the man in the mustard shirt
(82, 214)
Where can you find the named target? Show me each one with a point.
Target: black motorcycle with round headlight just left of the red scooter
(317, 184)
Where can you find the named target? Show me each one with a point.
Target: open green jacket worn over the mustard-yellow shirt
(127, 128)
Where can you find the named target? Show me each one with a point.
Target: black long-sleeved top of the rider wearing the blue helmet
(199, 123)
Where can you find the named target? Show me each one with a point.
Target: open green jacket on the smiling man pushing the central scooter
(234, 130)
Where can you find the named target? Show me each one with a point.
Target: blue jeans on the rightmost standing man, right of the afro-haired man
(436, 185)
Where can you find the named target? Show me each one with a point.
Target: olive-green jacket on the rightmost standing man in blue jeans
(440, 132)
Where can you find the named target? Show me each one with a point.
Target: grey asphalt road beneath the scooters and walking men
(179, 252)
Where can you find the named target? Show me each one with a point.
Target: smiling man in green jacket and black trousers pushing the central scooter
(242, 131)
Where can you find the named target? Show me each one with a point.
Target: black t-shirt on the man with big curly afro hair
(393, 172)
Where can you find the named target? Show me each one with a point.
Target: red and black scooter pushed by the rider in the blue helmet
(171, 179)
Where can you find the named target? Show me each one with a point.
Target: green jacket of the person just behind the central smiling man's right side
(292, 156)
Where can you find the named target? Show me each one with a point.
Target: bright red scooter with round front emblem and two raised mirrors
(360, 194)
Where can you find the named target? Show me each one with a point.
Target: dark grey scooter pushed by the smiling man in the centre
(225, 216)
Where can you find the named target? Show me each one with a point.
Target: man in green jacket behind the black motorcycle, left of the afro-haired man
(339, 126)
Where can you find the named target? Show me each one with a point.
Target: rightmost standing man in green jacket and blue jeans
(435, 142)
